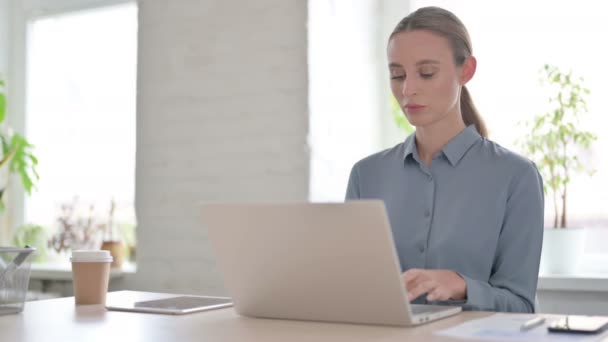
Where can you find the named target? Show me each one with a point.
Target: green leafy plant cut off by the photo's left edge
(16, 155)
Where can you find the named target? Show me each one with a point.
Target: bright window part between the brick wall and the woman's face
(350, 114)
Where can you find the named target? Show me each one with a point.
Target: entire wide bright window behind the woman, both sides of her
(511, 40)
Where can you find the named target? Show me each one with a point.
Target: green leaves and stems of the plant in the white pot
(555, 138)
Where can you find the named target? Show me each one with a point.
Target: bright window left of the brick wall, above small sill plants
(80, 113)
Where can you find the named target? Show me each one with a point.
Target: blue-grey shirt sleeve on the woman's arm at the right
(512, 284)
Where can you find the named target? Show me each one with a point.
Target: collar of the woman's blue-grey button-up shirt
(454, 150)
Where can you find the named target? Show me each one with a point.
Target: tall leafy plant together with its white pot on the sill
(554, 142)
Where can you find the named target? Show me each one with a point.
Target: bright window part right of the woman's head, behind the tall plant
(512, 41)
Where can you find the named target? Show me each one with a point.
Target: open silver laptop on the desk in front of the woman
(331, 262)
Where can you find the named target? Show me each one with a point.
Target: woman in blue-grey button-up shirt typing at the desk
(466, 213)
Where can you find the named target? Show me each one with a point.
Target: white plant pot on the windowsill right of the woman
(562, 249)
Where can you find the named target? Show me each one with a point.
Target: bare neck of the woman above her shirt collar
(431, 139)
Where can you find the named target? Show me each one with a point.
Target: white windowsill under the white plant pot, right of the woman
(584, 282)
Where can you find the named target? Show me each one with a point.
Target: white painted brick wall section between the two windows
(222, 115)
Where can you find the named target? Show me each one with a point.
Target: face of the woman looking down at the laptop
(424, 78)
